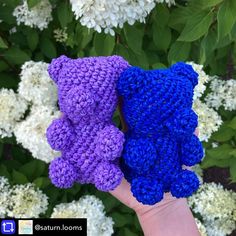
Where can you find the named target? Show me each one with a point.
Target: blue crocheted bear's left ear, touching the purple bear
(129, 80)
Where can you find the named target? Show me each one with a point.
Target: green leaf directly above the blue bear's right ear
(179, 51)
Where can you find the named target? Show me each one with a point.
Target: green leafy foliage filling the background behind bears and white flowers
(195, 30)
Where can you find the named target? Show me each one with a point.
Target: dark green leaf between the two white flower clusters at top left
(64, 13)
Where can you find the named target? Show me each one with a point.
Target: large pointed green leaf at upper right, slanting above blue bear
(196, 26)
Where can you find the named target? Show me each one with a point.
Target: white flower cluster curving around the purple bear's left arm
(31, 133)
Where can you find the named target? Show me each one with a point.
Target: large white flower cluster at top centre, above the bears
(107, 14)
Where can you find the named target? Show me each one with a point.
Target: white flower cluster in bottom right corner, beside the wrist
(217, 208)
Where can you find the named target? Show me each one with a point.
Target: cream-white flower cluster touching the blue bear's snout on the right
(208, 120)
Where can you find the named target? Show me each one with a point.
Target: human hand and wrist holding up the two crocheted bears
(169, 217)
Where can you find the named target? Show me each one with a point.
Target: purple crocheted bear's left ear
(55, 66)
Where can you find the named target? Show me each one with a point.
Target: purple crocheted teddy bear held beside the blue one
(89, 142)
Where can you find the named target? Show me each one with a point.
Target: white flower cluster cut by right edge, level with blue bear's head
(223, 93)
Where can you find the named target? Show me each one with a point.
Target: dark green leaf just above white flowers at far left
(16, 56)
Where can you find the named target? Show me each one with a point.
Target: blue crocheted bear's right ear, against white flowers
(186, 70)
